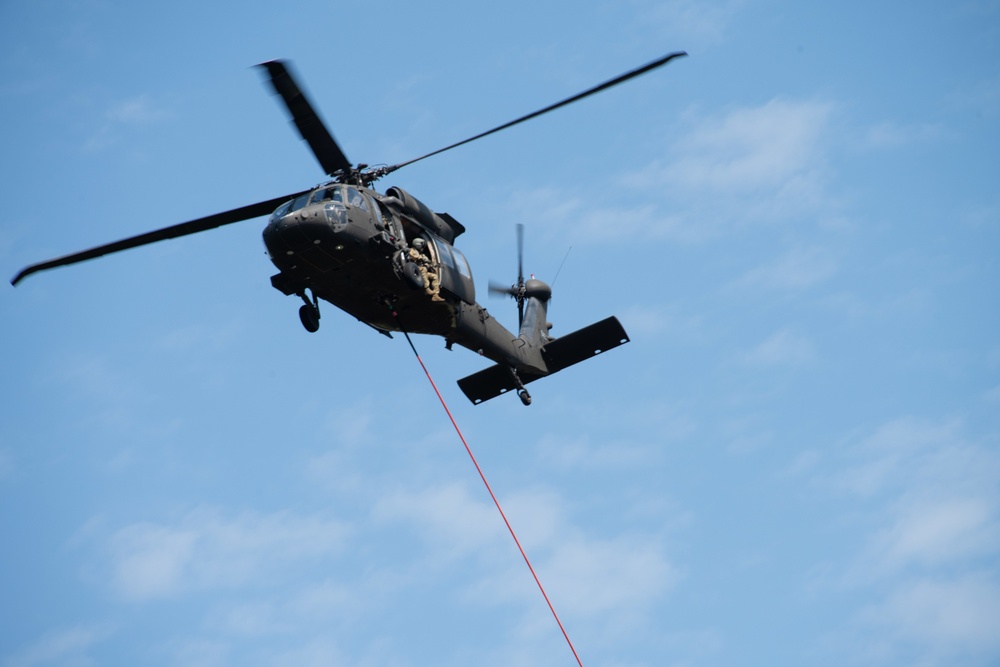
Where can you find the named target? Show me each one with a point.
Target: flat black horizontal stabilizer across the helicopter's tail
(559, 354)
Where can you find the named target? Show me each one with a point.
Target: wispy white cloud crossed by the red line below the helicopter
(593, 576)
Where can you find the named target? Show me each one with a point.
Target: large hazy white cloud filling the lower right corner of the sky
(932, 498)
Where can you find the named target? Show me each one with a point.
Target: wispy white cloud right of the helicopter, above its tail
(754, 165)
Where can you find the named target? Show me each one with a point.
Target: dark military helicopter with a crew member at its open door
(391, 262)
